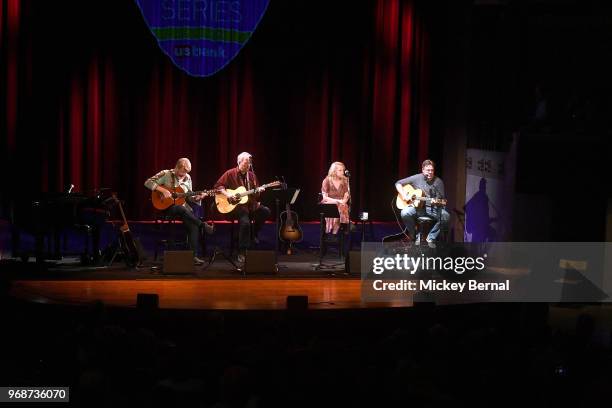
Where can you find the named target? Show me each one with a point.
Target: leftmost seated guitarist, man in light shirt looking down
(179, 177)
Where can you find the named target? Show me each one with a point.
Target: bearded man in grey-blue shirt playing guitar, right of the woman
(433, 187)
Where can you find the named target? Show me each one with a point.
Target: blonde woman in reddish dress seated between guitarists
(335, 190)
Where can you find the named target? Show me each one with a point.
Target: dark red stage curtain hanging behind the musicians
(90, 99)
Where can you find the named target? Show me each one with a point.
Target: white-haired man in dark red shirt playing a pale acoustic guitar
(243, 175)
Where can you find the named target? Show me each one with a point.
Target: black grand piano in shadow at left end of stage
(51, 216)
